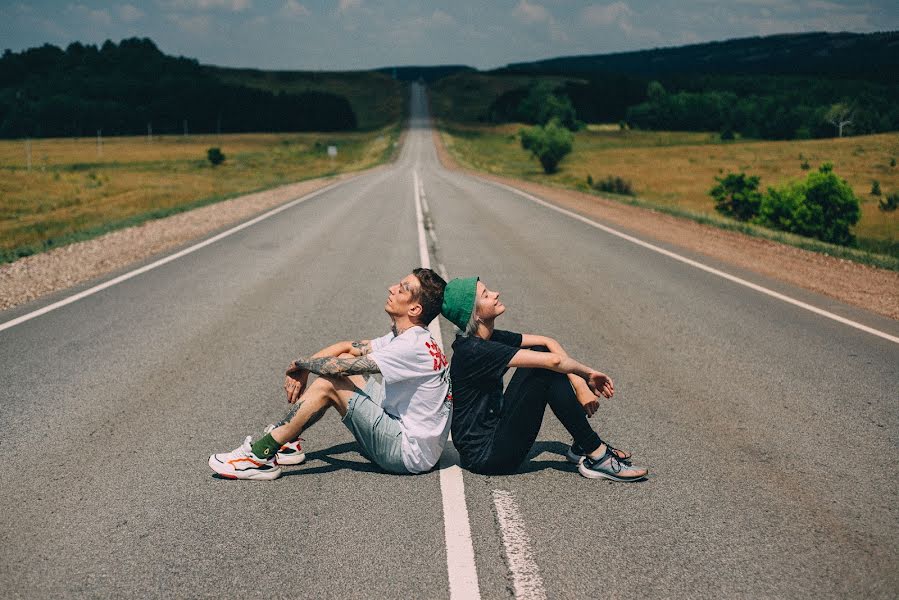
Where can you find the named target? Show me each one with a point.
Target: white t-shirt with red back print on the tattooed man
(416, 381)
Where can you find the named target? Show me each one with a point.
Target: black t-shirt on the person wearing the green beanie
(476, 373)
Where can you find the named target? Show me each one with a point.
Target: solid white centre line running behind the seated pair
(463, 574)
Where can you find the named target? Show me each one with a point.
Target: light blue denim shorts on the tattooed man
(378, 433)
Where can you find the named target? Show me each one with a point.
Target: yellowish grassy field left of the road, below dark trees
(76, 191)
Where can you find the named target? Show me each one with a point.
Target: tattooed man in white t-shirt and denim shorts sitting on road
(401, 422)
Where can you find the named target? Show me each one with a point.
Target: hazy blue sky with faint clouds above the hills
(364, 34)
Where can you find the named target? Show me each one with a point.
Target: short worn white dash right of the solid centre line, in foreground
(525, 574)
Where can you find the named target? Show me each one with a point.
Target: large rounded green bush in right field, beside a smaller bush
(823, 206)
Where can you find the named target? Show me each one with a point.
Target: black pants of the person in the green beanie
(524, 403)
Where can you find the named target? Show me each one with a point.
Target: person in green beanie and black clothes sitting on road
(494, 429)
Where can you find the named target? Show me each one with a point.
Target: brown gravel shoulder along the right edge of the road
(862, 286)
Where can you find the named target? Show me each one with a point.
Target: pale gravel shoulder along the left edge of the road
(34, 276)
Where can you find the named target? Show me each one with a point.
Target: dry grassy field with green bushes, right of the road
(673, 171)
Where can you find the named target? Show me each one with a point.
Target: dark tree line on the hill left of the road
(132, 87)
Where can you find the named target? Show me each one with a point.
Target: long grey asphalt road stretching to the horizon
(770, 432)
